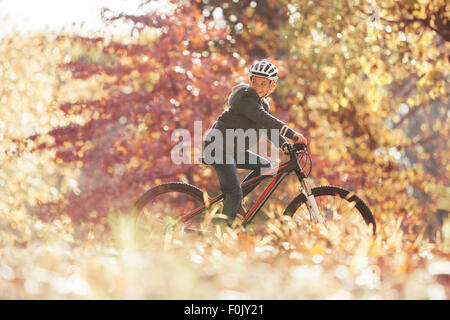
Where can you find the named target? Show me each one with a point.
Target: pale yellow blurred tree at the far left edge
(30, 91)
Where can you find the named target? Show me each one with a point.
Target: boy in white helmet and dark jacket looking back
(248, 110)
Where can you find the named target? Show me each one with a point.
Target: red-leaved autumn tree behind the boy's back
(143, 93)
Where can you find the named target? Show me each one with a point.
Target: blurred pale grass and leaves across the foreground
(281, 258)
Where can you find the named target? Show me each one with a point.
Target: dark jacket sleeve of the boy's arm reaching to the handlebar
(247, 105)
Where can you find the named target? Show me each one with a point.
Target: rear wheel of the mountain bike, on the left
(164, 205)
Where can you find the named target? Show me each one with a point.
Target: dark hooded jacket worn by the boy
(248, 111)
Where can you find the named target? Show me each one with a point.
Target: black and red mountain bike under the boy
(190, 202)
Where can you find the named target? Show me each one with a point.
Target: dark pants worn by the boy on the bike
(229, 181)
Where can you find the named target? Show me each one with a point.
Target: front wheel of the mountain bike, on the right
(341, 209)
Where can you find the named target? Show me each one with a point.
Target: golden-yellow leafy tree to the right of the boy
(373, 86)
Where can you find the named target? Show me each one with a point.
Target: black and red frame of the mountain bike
(279, 173)
